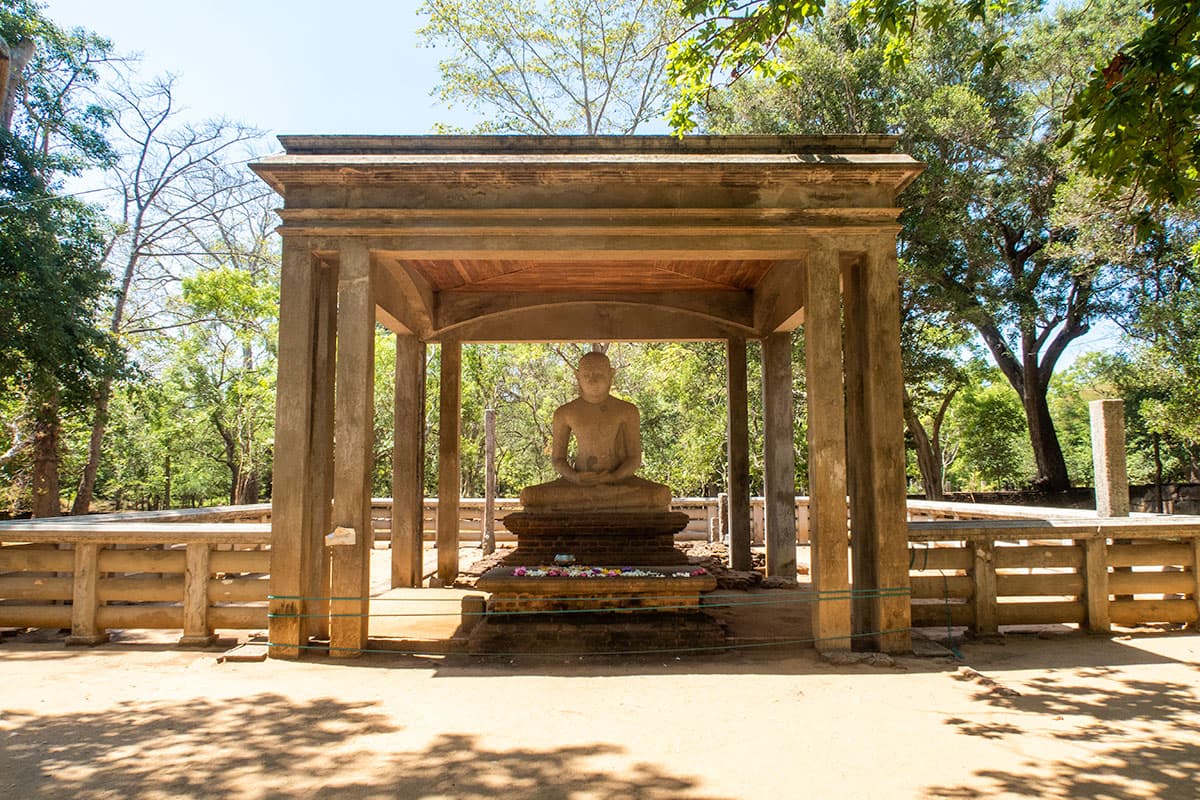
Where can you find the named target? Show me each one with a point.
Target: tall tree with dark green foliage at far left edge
(52, 280)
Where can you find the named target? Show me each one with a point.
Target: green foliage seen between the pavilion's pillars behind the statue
(679, 388)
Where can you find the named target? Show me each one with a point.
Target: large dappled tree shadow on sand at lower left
(271, 748)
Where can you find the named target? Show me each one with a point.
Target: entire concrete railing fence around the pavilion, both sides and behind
(975, 566)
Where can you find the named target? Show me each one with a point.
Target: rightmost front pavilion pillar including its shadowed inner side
(879, 509)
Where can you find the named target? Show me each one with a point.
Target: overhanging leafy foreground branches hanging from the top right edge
(1137, 123)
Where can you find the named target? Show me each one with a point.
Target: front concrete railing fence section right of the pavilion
(1090, 573)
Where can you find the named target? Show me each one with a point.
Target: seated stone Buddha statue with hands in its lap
(608, 453)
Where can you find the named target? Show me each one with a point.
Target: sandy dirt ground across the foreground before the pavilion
(1066, 718)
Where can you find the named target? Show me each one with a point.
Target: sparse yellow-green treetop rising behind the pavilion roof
(554, 67)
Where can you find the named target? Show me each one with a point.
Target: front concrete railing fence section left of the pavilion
(134, 574)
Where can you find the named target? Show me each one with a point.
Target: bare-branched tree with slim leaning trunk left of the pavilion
(170, 177)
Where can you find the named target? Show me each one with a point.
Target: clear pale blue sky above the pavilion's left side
(299, 67)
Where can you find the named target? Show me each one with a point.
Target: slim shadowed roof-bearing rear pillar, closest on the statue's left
(449, 479)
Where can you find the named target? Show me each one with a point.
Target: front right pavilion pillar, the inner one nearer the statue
(827, 455)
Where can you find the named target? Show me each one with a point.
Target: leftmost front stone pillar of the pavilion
(291, 515)
